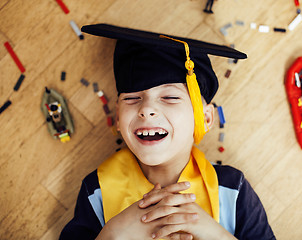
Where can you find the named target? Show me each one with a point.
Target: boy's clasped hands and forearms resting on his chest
(164, 213)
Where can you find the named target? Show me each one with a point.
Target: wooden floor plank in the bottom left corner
(32, 216)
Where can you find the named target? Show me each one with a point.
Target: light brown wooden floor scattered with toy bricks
(40, 177)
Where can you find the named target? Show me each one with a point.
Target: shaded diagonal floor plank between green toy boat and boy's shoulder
(65, 179)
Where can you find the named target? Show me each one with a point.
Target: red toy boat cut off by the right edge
(294, 94)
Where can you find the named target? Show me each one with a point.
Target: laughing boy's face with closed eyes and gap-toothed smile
(157, 124)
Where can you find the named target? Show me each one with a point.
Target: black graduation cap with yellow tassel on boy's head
(143, 60)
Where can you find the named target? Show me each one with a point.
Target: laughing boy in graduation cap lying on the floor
(162, 187)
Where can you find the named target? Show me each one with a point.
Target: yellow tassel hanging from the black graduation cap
(195, 96)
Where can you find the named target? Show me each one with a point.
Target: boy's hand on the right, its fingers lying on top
(177, 213)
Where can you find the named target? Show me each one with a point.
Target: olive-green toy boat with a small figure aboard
(58, 119)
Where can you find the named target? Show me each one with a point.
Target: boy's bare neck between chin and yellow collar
(165, 174)
